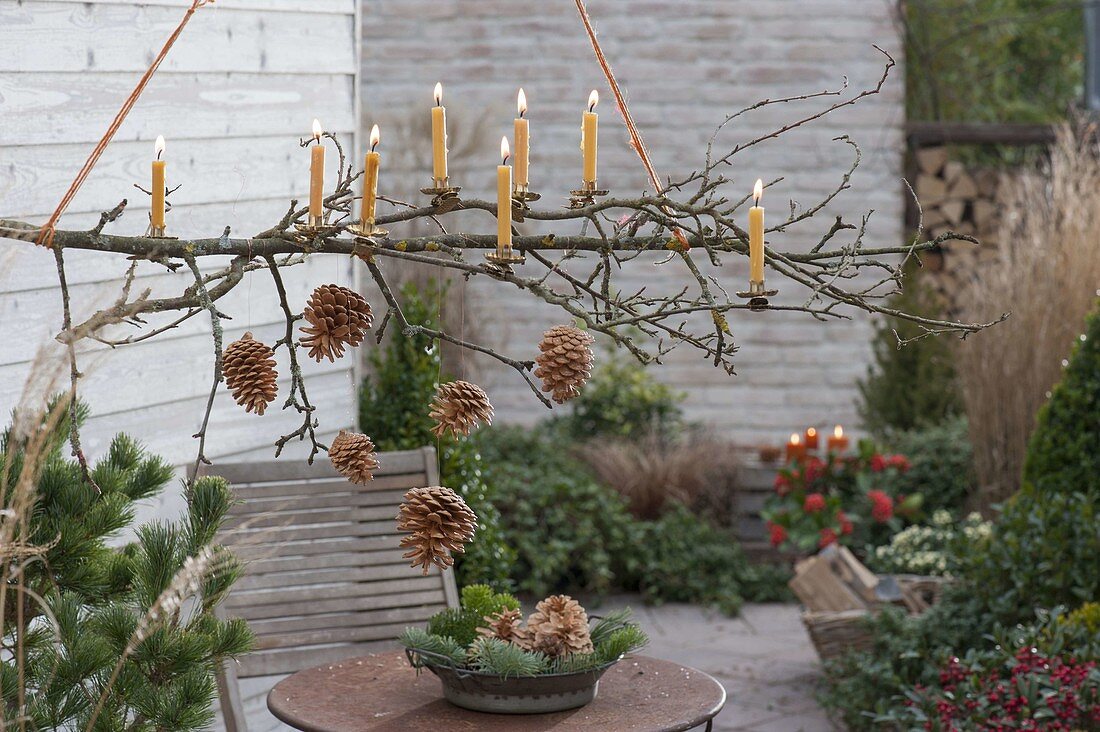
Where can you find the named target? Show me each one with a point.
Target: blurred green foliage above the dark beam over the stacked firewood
(996, 61)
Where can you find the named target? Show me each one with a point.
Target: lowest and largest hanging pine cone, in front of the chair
(439, 522)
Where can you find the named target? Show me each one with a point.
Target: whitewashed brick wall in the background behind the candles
(685, 67)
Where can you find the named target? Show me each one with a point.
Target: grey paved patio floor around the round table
(763, 658)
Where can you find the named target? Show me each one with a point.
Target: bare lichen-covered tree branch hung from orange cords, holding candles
(591, 247)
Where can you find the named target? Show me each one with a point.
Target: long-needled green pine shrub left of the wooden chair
(103, 597)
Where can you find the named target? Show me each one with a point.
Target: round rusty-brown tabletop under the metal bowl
(382, 692)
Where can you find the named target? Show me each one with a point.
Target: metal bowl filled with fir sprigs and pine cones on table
(490, 660)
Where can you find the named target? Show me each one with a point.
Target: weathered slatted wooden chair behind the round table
(325, 578)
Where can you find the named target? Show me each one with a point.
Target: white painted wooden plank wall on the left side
(239, 90)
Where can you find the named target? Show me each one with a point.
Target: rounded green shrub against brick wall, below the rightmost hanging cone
(624, 400)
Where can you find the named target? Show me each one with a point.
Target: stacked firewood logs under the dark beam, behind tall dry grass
(955, 198)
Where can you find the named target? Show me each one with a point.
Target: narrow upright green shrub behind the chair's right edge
(393, 410)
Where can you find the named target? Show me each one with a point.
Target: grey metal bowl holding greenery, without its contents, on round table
(520, 695)
